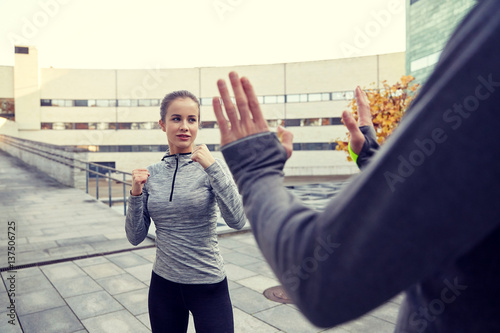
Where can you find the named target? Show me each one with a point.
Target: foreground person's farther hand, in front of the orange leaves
(364, 119)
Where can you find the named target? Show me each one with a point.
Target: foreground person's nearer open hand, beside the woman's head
(250, 120)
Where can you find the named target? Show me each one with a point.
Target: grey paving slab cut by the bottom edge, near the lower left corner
(56, 320)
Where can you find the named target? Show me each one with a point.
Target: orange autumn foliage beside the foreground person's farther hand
(387, 106)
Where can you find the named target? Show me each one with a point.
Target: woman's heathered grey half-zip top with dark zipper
(183, 200)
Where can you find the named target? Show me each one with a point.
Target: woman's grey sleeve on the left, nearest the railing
(137, 221)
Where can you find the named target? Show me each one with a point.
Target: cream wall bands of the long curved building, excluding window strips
(276, 79)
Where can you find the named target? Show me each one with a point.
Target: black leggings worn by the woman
(169, 305)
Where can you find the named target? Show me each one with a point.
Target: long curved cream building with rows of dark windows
(114, 113)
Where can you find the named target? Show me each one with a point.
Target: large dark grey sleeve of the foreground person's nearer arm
(428, 196)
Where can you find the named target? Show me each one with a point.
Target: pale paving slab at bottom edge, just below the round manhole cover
(288, 320)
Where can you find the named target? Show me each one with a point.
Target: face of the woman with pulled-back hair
(181, 125)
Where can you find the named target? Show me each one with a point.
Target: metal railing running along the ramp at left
(28, 146)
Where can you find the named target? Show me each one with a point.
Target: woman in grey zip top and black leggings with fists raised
(181, 194)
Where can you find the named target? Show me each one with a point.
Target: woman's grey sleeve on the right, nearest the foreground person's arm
(226, 194)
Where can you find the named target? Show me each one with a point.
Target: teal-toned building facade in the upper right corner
(429, 24)
